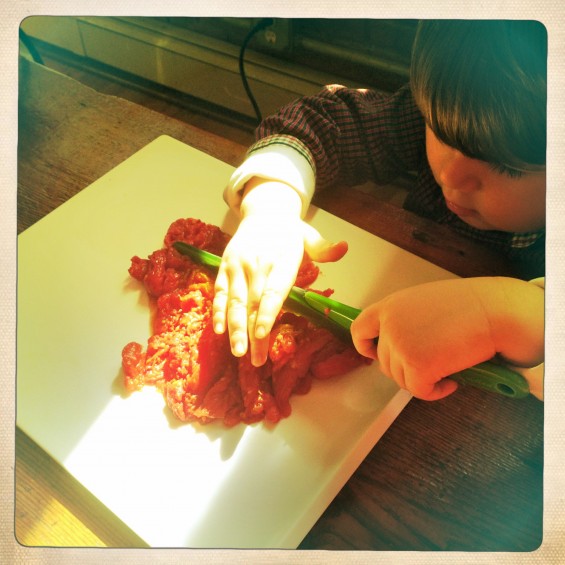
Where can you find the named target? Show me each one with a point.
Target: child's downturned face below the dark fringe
(483, 197)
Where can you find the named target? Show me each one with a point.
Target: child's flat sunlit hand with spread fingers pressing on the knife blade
(260, 264)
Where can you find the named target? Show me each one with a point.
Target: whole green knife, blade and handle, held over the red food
(338, 317)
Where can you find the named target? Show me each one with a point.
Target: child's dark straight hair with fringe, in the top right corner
(482, 88)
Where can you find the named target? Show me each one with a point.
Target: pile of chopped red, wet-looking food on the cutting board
(193, 366)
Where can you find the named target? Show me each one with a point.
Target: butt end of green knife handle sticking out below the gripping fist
(494, 378)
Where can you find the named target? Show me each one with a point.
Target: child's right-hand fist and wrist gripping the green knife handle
(433, 330)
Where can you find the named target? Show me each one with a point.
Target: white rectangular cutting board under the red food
(177, 484)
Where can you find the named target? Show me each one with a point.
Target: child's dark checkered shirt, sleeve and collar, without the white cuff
(351, 136)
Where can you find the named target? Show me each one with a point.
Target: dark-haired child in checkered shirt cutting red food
(472, 125)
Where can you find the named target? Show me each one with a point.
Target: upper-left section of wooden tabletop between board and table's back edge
(70, 135)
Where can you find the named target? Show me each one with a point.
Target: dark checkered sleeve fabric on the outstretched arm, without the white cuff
(353, 135)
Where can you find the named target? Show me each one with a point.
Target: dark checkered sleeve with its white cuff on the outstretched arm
(341, 135)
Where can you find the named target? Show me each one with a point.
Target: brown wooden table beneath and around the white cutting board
(464, 473)
